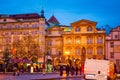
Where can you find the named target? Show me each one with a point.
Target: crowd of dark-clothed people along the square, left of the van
(17, 70)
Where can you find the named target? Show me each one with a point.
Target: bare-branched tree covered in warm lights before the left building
(26, 48)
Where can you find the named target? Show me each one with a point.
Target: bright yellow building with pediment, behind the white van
(83, 41)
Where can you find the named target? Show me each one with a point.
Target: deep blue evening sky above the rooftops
(105, 12)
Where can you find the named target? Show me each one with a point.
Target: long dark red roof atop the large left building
(25, 16)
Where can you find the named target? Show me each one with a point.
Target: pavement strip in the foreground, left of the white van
(39, 76)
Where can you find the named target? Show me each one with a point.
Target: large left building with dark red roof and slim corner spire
(15, 27)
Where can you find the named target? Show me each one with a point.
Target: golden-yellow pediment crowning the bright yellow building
(83, 22)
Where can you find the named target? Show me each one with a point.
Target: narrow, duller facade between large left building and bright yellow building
(53, 46)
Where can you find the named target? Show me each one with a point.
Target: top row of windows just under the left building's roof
(21, 26)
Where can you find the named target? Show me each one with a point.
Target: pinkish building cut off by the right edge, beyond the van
(113, 46)
